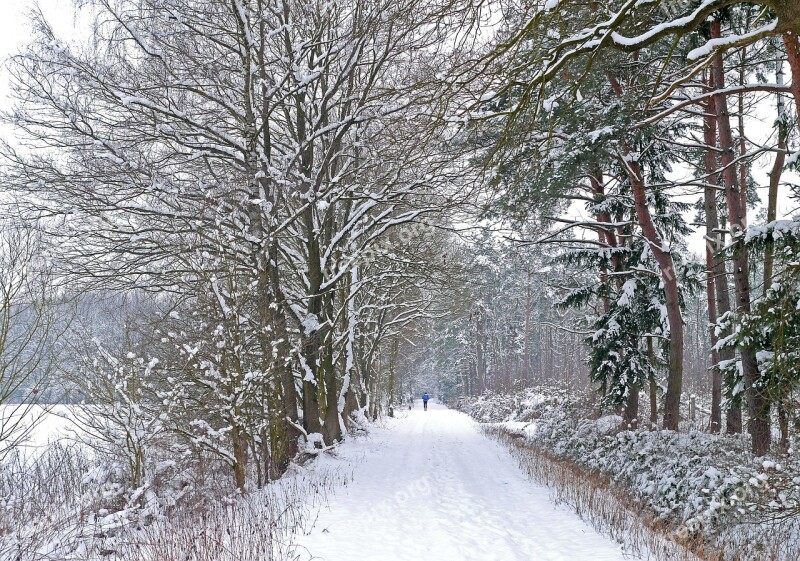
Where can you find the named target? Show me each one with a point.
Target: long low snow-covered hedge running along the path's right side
(694, 480)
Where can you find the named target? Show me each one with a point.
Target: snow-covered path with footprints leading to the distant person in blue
(435, 489)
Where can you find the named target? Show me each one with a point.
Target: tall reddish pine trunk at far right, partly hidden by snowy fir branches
(757, 403)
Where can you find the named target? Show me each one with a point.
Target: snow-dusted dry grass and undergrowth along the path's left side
(69, 504)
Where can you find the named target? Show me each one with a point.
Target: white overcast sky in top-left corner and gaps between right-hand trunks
(14, 30)
